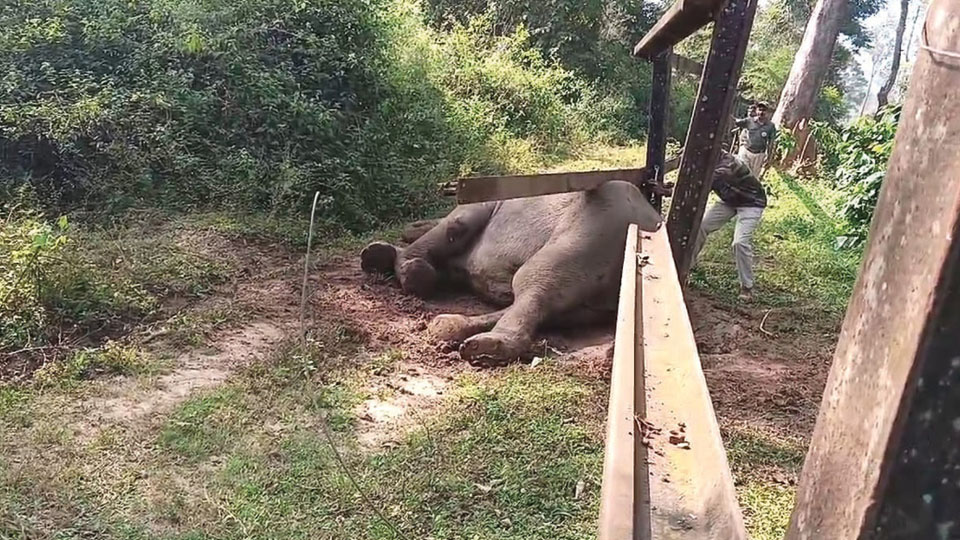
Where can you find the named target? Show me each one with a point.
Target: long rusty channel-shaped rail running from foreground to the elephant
(665, 472)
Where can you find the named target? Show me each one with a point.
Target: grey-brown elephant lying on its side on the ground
(548, 260)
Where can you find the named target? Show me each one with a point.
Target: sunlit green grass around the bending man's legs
(798, 264)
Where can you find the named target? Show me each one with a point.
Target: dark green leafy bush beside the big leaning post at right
(857, 156)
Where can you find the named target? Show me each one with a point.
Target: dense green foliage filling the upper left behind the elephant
(257, 103)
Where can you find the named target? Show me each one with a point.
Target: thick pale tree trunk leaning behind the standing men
(810, 68)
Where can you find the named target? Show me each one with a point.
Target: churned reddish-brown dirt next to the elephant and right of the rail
(770, 377)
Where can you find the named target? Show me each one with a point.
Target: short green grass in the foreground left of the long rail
(501, 459)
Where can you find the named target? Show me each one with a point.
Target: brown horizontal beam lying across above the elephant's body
(492, 188)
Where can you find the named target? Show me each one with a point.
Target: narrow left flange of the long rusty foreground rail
(620, 491)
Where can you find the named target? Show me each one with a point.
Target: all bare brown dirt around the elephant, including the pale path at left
(763, 369)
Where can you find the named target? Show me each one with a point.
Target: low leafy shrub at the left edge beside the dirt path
(55, 278)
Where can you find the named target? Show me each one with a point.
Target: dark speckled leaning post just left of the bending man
(718, 86)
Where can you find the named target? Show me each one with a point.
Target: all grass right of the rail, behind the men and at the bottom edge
(798, 266)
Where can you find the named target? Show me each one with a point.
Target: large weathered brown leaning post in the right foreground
(884, 460)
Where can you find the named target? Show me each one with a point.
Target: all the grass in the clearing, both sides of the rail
(502, 460)
